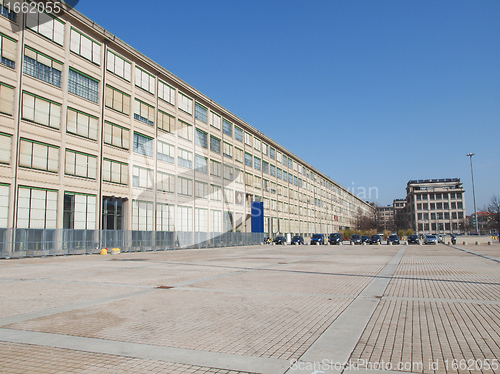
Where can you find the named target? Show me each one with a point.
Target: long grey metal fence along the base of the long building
(20, 243)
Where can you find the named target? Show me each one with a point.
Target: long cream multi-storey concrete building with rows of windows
(95, 135)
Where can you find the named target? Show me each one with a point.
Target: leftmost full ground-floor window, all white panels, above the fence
(37, 208)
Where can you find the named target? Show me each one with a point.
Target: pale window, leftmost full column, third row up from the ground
(41, 111)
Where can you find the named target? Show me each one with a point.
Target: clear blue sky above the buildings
(387, 90)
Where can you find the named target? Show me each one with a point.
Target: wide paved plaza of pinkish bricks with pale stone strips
(261, 309)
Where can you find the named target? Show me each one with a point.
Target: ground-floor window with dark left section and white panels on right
(79, 211)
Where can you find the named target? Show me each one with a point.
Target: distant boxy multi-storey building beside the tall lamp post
(436, 205)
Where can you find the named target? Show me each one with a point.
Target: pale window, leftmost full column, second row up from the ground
(41, 156)
